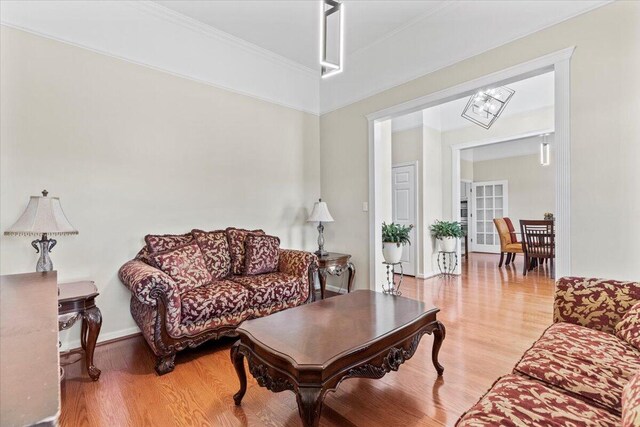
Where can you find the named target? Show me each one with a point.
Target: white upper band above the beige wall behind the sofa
(152, 36)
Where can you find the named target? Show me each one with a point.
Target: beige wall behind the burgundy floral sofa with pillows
(130, 151)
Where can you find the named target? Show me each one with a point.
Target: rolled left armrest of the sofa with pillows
(142, 278)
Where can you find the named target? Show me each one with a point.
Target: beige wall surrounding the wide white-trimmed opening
(605, 141)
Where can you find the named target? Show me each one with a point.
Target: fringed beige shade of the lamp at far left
(44, 215)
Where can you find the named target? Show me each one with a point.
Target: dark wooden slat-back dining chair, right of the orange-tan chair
(538, 238)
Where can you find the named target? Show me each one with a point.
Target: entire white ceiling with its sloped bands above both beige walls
(269, 49)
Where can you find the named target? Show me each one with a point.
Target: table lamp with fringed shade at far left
(43, 216)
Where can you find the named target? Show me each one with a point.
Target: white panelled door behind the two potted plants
(404, 210)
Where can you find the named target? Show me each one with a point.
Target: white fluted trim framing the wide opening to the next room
(560, 63)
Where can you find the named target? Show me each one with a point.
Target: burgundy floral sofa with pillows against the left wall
(189, 288)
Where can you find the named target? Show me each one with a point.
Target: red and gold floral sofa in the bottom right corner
(583, 371)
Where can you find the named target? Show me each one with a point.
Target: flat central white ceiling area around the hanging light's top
(290, 28)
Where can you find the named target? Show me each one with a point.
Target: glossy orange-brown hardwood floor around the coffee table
(492, 316)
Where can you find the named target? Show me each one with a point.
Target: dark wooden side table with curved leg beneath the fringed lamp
(77, 300)
